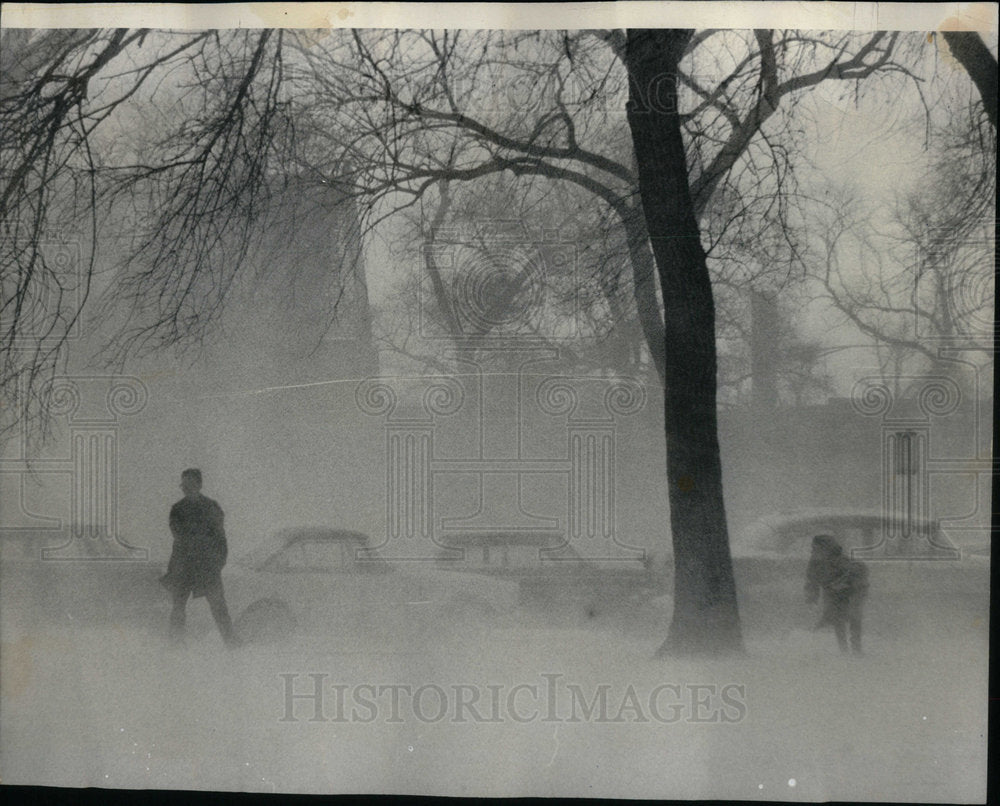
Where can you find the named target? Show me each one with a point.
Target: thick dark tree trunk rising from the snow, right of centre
(706, 617)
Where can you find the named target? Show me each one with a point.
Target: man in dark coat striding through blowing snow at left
(198, 555)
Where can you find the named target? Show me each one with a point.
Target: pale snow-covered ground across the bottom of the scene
(115, 706)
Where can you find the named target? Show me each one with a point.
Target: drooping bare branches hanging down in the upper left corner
(60, 112)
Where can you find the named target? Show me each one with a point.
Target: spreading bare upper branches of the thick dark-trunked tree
(407, 109)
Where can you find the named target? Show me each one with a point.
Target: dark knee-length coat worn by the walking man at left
(200, 550)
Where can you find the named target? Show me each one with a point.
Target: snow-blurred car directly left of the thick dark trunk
(550, 574)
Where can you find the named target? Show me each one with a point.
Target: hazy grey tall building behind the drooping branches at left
(299, 311)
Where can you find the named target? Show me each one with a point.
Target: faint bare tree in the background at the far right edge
(924, 279)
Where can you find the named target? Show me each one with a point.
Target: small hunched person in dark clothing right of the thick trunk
(844, 583)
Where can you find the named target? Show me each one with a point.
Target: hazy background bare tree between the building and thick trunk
(531, 261)
